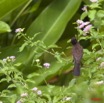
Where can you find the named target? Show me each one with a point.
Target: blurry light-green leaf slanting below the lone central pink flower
(44, 74)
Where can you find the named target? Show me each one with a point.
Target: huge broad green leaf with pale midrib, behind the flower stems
(51, 23)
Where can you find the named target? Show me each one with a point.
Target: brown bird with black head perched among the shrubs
(77, 52)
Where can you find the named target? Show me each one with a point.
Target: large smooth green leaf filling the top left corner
(6, 6)
